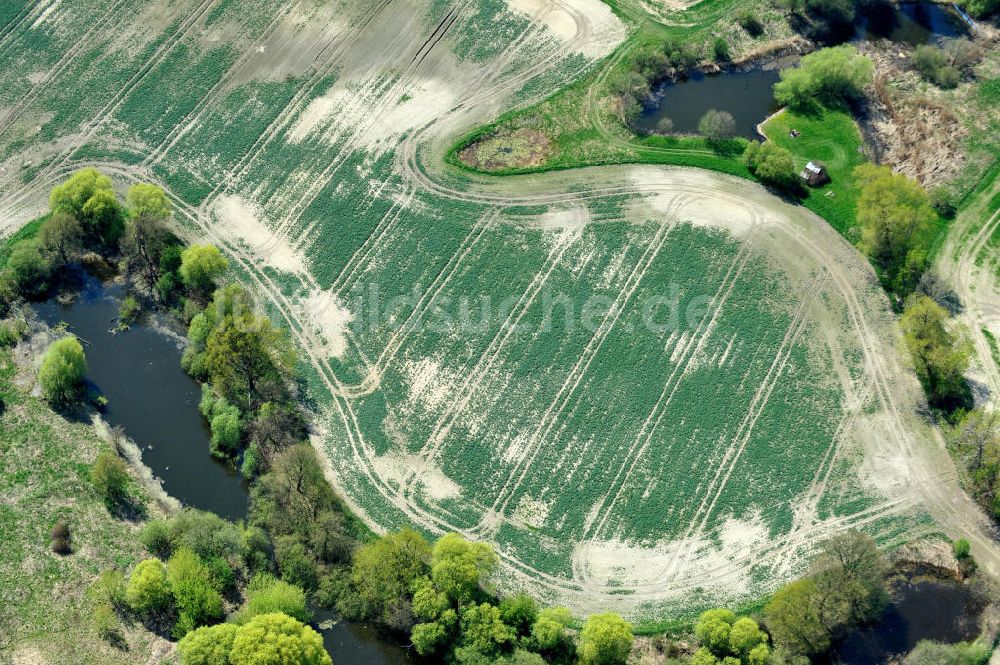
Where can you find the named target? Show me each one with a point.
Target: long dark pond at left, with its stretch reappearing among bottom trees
(156, 403)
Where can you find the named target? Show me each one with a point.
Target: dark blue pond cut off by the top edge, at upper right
(912, 23)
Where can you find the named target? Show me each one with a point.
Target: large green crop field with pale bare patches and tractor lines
(654, 389)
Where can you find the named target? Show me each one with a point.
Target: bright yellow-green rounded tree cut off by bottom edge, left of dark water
(277, 639)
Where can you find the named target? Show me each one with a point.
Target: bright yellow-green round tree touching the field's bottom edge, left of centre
(459, 567)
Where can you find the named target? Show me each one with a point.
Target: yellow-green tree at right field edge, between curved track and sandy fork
(940, 356)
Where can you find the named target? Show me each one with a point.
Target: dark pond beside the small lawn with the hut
(745, 94)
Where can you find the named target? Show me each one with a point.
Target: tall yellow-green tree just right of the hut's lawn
(895, 218)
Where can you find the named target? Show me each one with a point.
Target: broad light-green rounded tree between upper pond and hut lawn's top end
(833, 77)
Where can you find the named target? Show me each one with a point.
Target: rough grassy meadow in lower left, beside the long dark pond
(45, 614)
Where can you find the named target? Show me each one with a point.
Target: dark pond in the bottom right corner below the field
(924, 609)
